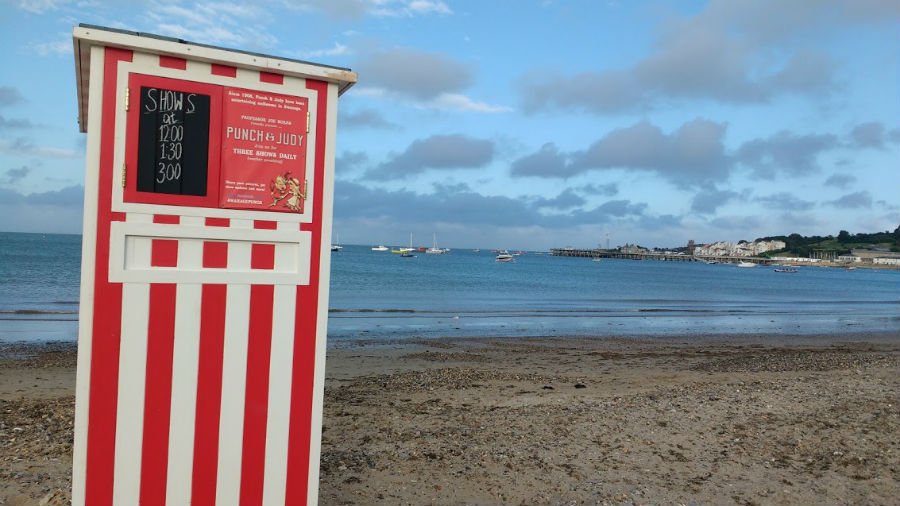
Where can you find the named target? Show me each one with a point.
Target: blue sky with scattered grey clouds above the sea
(526, 124)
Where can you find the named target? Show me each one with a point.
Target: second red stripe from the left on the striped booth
(158, 389)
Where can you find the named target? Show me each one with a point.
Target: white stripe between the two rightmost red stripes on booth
(280, 376)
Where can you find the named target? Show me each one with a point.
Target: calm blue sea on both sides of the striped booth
(464, 293)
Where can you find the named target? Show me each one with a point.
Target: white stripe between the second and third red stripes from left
(185, 363)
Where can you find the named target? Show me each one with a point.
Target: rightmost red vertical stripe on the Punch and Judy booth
(305, 321)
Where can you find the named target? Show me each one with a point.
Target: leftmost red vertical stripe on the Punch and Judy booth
(104, 374)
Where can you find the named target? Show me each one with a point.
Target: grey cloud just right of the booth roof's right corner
(416, 74)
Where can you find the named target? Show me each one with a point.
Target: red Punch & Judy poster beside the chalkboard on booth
(264, 137)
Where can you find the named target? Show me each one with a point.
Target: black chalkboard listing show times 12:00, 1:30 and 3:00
(173, 142)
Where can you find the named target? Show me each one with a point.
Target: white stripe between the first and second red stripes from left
(132, 376)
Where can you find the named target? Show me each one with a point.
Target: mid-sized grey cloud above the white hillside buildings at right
(786, 152)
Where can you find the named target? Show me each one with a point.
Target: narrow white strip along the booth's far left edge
(88, 253)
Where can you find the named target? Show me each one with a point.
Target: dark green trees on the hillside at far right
(802, 246)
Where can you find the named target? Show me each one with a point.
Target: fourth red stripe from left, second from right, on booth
(256, 401)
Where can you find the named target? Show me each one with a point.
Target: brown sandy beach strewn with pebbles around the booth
(749, 420)
